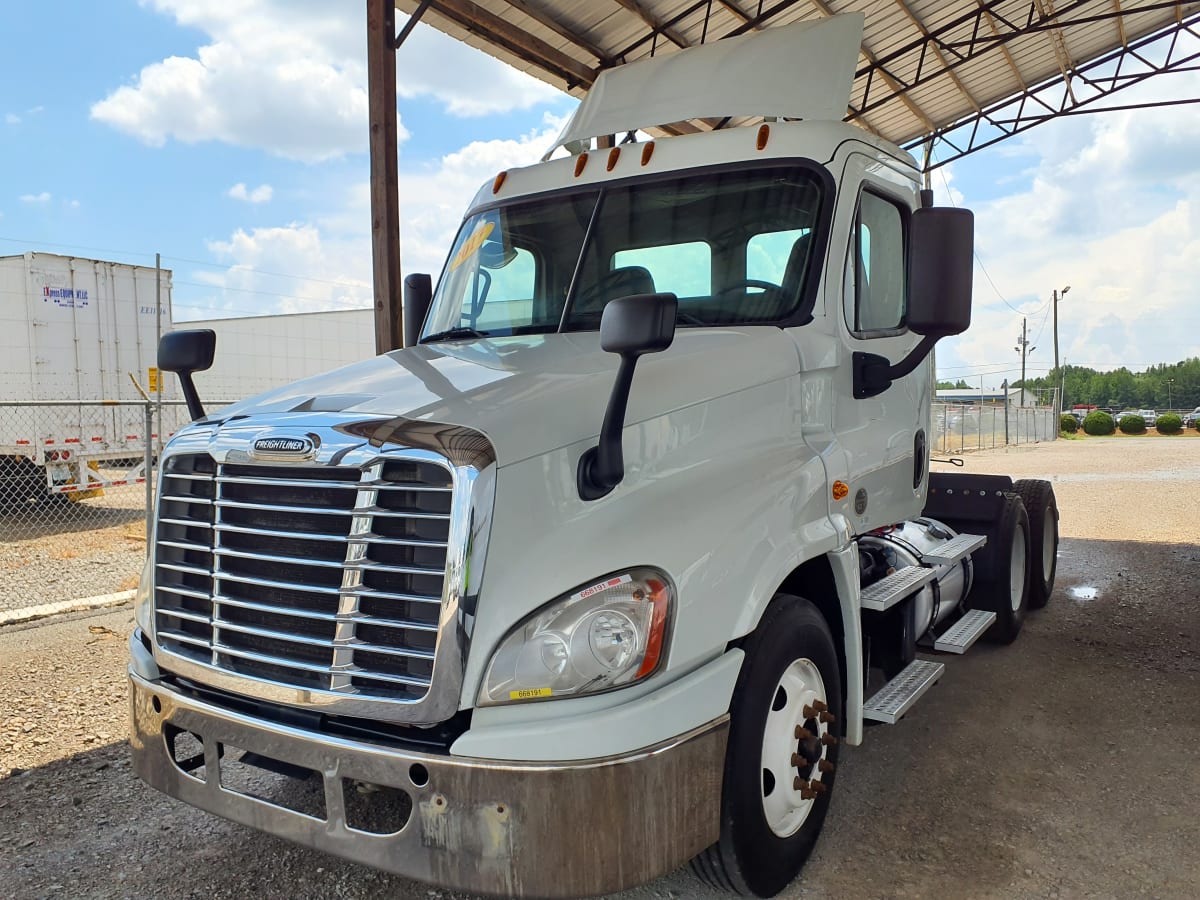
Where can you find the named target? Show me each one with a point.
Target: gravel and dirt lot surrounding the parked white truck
(1065, 766)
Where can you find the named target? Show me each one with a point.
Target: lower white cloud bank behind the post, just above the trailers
(326, 263)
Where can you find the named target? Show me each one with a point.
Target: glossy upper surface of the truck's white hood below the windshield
(533, 394)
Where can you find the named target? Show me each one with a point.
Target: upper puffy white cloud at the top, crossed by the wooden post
(290, 77)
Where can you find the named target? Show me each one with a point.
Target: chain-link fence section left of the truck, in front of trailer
(74, 495)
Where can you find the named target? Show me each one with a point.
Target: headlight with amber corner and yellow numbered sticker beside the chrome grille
(602, 637)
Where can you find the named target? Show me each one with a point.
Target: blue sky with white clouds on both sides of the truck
(231, 137)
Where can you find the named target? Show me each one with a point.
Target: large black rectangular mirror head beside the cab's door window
(943, 261)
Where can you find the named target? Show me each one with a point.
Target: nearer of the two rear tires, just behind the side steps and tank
(1006, 591)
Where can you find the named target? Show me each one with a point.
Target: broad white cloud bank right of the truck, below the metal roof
(1113, 209)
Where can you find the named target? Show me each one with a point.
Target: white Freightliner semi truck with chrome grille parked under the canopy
(601, 575)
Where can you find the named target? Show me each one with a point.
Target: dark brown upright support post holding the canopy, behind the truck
(385, 173)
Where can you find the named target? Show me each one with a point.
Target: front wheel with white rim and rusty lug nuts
(783, 753)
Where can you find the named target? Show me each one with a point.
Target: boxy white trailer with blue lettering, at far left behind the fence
(73, 332)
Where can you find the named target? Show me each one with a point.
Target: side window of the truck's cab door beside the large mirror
(878, 265)
